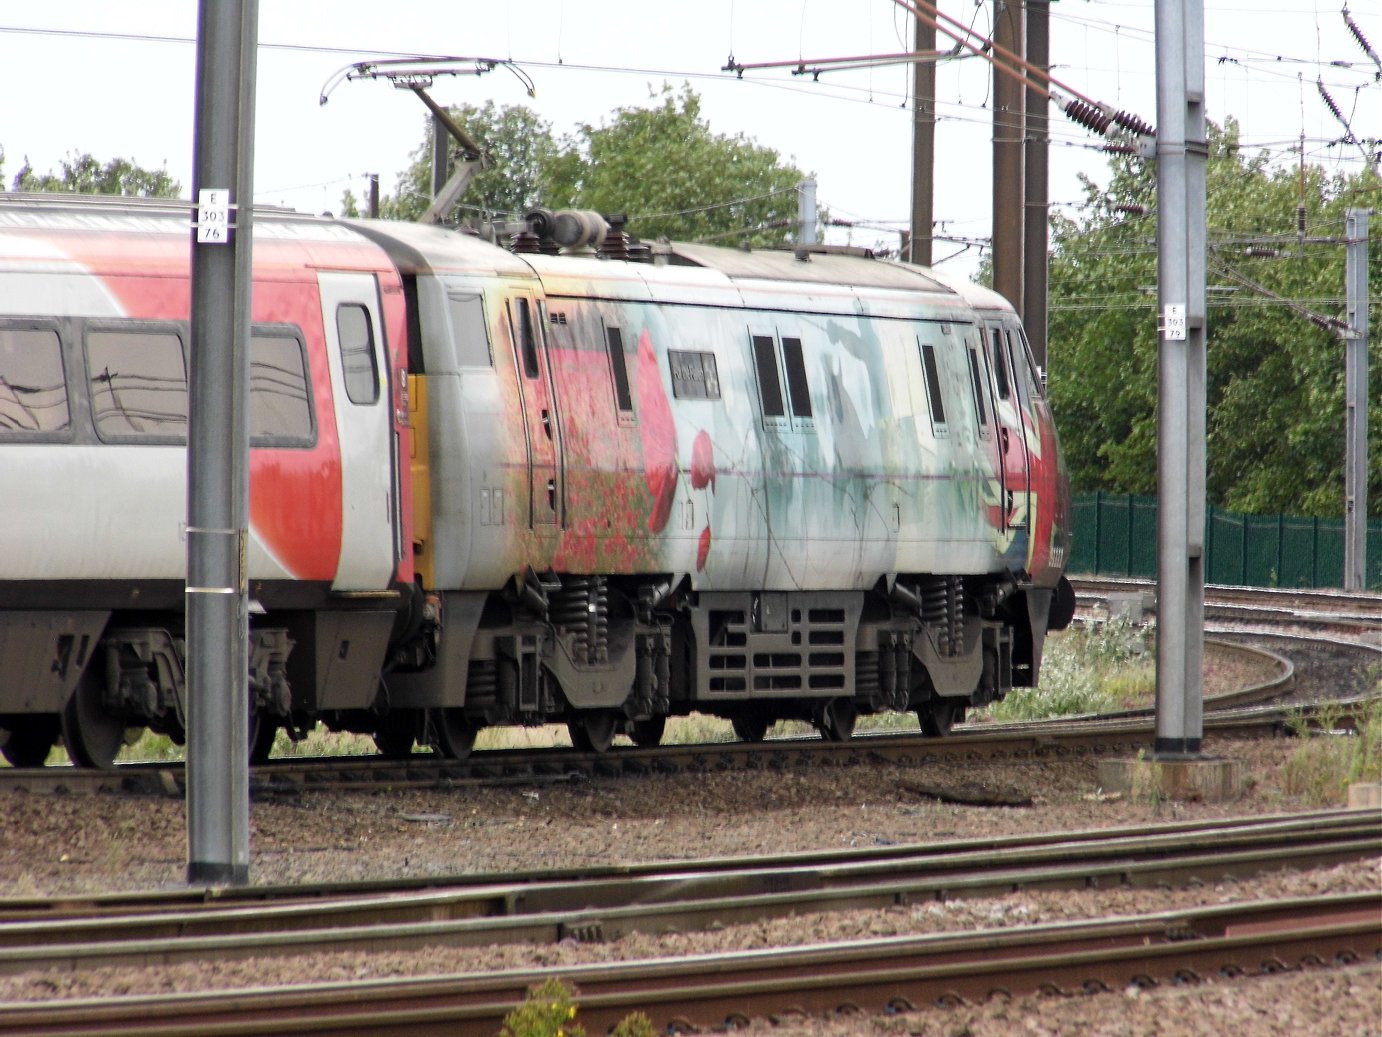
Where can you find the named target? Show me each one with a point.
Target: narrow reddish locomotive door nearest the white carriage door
(547, 512)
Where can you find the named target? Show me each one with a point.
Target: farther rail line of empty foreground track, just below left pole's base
(609, 909)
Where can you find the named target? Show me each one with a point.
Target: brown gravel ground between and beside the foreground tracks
(75, 844)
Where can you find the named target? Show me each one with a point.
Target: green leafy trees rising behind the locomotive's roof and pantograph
(661, 167)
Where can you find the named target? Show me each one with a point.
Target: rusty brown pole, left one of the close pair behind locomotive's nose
(1010, 109)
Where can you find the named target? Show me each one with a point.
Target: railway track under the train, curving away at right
(1336, 626)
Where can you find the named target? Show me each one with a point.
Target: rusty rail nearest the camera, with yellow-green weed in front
(679, 995)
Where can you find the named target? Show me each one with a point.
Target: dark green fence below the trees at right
(1116, 536)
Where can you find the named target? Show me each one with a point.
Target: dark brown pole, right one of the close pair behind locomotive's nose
(1036, 232)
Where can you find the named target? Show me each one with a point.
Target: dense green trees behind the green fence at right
(1275, 377)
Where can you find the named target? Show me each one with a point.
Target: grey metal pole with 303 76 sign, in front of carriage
(218, 500)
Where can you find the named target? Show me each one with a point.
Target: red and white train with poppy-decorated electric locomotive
(549, 475)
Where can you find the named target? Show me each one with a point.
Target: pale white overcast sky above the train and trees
(118, 81)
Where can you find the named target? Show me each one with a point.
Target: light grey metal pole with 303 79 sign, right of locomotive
(1182, 157)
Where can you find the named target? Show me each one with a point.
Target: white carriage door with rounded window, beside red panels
(370, 471)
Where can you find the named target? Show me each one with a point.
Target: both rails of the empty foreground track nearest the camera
(606, 904)
